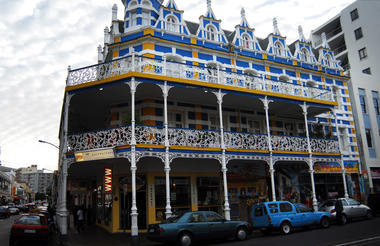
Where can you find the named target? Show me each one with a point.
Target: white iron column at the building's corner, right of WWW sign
(134, 226)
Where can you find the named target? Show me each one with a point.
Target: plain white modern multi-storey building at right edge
(353, 36)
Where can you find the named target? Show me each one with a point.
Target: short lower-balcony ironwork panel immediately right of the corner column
(150, 135)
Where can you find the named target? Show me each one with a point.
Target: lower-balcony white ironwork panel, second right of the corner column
(194, 138)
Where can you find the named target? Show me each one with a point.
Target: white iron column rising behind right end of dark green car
(227, 209)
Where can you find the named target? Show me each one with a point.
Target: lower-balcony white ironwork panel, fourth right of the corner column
(288, 143)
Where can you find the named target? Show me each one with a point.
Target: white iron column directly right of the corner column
(165, 92)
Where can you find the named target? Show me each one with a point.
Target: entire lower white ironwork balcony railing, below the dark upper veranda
(152, 135)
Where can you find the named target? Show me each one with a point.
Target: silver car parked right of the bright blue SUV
(351, 209)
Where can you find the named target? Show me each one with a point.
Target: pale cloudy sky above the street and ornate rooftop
(39, 39)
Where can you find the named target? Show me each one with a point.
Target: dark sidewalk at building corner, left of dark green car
(97, 236)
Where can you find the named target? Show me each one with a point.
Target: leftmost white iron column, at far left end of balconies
(62, 212)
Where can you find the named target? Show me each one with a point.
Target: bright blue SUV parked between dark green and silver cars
(284, 216)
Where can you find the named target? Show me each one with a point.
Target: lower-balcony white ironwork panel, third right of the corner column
(237, 140)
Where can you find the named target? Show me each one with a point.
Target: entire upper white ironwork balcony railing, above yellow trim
(206, 74)
